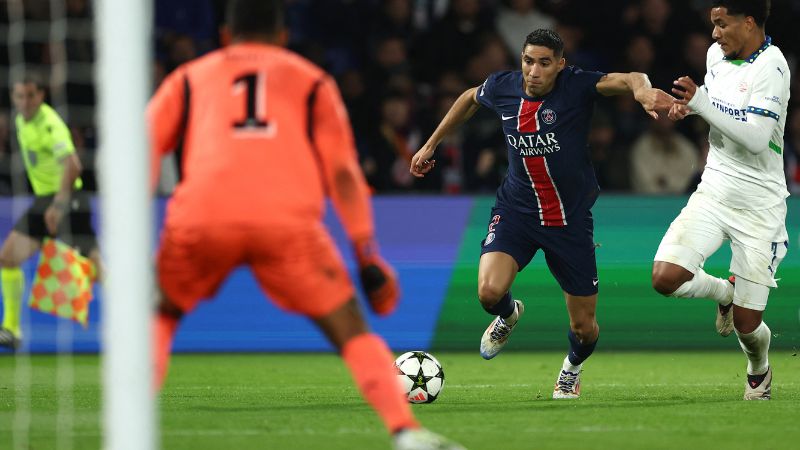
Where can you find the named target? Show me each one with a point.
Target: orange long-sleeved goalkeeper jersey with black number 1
(262, 135)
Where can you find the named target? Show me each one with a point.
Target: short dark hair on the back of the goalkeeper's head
(248, 17)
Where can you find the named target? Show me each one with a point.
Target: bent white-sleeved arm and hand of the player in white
(754, 134)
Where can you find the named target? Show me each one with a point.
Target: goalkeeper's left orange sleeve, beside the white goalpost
(164, 114)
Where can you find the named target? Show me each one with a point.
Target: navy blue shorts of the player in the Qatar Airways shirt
(569, 250)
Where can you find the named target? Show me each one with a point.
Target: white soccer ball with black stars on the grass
(420, 375)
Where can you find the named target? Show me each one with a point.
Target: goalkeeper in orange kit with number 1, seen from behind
(264, 137)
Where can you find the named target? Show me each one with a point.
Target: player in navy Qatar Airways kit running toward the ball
(545, 200)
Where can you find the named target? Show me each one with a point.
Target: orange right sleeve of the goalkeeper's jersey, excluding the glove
(332, 138)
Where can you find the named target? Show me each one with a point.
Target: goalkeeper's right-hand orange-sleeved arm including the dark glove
(350, 196)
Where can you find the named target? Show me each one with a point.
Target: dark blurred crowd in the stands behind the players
(400, 64)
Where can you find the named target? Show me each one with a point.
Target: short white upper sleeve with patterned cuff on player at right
(770, 92)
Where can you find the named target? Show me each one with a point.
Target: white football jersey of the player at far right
(740, 88)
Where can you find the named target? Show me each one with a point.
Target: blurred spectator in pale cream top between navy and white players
(662, 160)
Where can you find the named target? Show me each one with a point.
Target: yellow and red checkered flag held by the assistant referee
(63, 282)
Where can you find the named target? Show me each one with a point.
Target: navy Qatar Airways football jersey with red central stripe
(550, 174)
